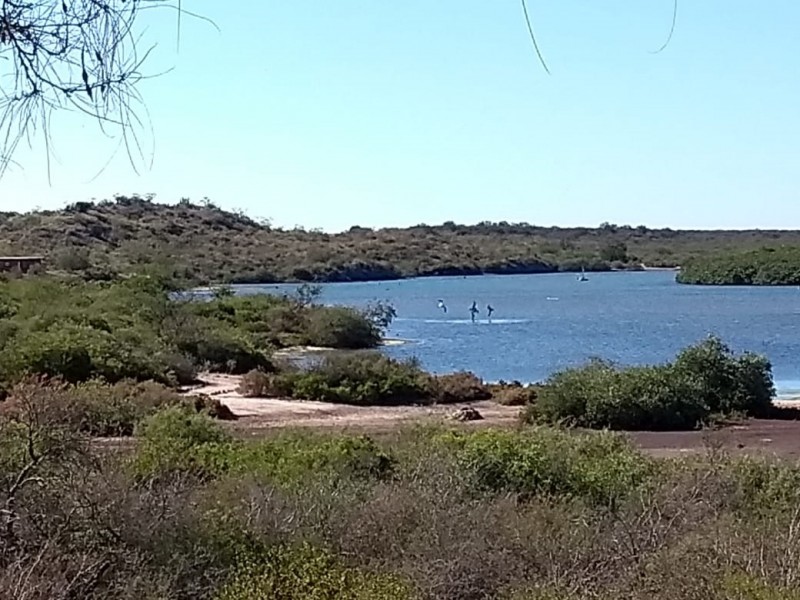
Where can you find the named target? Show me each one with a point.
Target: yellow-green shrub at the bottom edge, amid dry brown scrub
(306, 572)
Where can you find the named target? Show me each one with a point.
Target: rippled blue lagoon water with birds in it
(544, 323)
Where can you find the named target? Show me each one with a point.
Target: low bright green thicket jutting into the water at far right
(764, 266)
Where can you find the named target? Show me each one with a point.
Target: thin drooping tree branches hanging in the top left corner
(71, 54)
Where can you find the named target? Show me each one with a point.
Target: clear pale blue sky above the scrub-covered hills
(377, 113)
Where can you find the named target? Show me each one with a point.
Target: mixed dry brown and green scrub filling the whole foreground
(423, 514)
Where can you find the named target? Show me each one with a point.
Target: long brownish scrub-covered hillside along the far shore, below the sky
(207, 244)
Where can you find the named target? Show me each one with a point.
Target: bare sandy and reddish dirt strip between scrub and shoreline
(257, 416)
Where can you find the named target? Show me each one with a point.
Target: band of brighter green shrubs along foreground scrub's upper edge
(596, 468)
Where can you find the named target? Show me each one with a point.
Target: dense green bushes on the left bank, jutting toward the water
(136, 329)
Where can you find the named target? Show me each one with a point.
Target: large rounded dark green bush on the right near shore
(703, 381)
